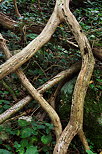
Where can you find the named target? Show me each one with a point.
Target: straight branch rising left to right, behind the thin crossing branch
(18, 106)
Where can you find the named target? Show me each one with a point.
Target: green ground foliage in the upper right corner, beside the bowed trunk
(91, 21)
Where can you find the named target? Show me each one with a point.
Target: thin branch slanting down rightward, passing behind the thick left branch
(35, 94)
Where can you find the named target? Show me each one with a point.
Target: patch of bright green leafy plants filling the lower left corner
(31, 136)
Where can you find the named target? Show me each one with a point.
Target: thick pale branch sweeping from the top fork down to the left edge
(20, 58)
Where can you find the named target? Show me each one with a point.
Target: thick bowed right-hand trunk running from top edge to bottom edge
(76, 117)
